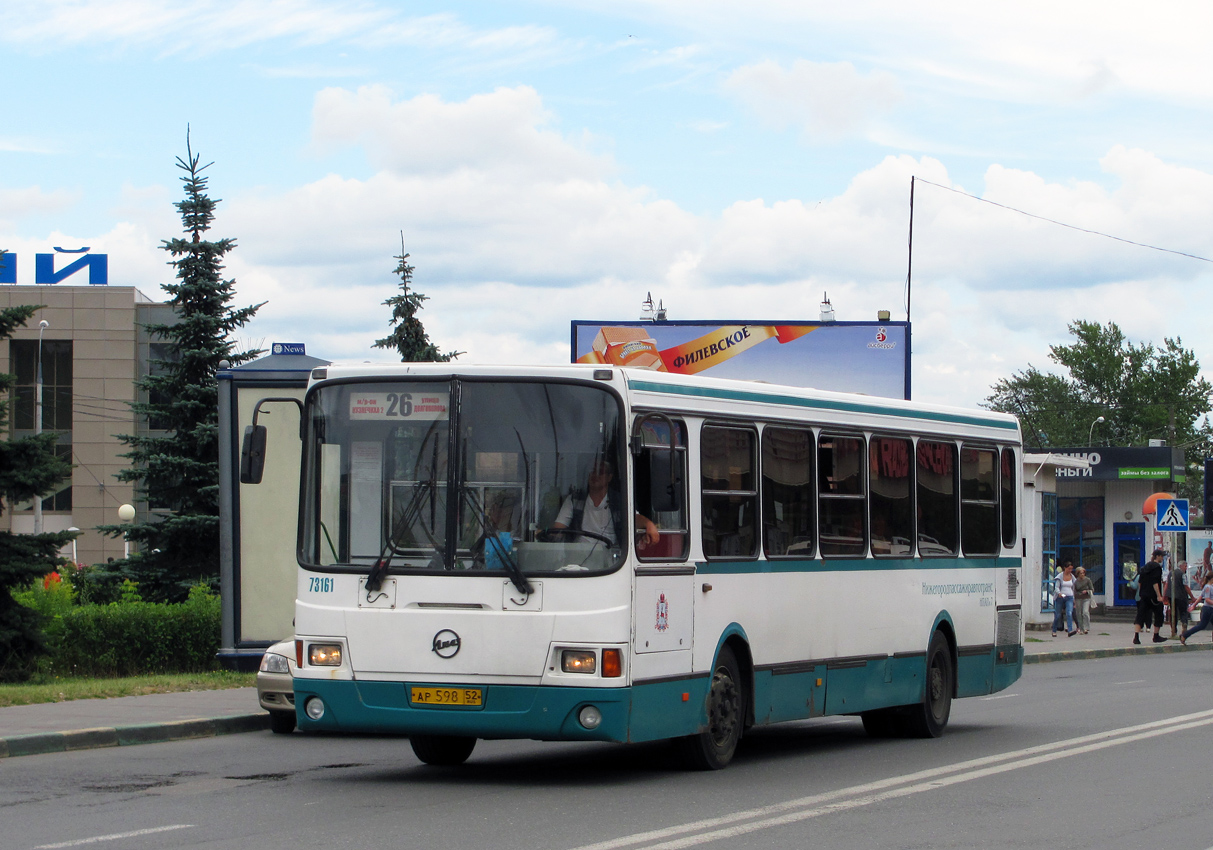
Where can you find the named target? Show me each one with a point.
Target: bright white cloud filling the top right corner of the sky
(1037, 49)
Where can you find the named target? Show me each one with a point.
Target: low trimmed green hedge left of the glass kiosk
(135, 638)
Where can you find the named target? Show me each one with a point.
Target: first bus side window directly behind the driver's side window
(730, 489)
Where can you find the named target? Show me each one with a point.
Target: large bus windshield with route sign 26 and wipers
(464, 476)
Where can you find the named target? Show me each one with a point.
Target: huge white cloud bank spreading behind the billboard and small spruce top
(516, 236)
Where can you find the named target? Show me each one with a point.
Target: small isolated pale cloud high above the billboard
(827, 100)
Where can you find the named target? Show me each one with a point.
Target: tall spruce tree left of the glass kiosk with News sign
(178, 472)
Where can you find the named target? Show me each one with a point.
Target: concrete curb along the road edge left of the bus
(126, 737)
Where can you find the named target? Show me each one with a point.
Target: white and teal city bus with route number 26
(585, 554)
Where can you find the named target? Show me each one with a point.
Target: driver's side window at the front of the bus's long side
(653, 461)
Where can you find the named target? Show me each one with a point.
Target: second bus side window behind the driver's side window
(788, 494)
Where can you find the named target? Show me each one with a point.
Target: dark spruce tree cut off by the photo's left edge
(30, 469)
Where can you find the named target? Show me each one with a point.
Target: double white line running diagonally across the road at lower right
(925, 780)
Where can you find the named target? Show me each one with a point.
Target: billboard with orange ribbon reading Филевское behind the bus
(850, 357)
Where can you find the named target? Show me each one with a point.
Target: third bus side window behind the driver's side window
(841, 498)
